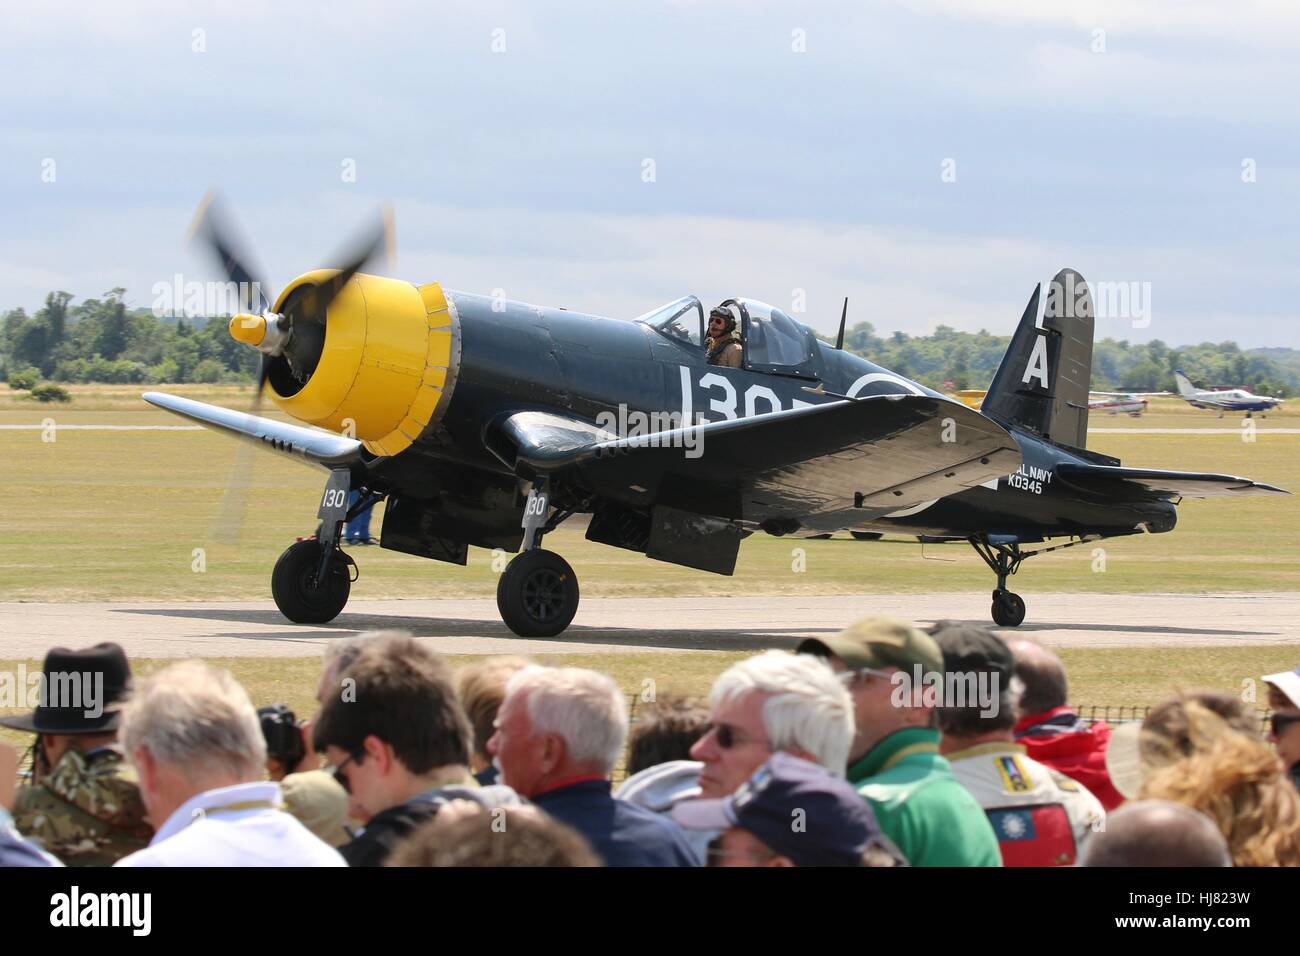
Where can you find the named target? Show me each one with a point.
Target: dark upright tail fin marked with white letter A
(1043, 382)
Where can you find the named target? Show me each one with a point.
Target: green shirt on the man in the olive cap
(921, 807)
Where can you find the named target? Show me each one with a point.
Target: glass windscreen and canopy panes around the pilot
(772, 340)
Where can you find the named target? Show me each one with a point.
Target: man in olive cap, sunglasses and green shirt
(895, 760)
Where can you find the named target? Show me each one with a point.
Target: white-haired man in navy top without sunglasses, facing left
(560, 733)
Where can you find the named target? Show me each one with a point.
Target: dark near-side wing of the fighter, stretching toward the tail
(822, 466)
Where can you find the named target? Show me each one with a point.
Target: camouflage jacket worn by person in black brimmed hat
(88, 811)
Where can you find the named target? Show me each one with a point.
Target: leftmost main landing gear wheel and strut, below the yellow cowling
(314, 578)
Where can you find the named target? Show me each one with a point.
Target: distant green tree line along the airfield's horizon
(103, 341)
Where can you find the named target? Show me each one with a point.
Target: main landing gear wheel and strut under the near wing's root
(538, 595)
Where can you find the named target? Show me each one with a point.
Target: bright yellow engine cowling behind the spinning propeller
(389, 358)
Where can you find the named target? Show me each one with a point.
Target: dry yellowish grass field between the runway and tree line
(116, 516)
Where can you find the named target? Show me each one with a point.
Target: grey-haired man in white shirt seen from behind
(194, 738)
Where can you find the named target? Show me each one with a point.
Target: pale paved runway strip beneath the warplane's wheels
(255, 629)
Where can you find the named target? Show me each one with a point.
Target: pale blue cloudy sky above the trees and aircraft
(930, 159)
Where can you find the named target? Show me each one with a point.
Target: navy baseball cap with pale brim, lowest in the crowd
(798, 808)
